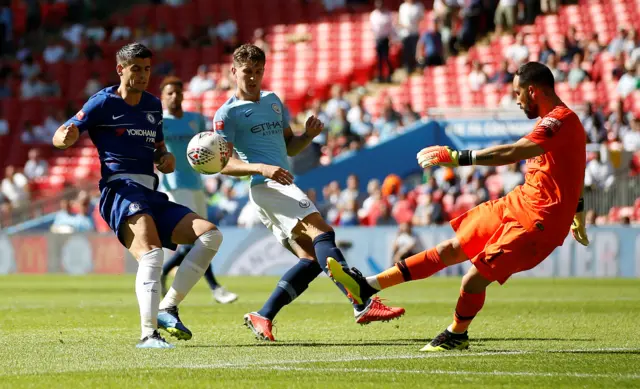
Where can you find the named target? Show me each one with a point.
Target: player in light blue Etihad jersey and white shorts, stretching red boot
(256, 124)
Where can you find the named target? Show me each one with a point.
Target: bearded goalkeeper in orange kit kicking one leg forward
(509, 235)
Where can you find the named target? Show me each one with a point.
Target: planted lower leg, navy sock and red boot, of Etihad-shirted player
(291, 285)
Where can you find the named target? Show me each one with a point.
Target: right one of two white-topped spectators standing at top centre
(410, 15)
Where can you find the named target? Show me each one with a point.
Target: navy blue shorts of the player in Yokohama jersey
(123, 198)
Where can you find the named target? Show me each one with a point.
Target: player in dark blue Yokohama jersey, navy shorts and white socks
(125, 124)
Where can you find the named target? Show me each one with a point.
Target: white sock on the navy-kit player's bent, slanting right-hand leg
(192, 268)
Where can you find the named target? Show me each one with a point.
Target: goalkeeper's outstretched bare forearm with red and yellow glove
(490, 156)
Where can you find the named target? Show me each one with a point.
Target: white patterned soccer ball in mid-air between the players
(208, 152)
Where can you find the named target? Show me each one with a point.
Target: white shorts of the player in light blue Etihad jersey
(281, 207)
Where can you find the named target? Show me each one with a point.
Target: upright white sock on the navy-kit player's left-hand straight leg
(148, 289)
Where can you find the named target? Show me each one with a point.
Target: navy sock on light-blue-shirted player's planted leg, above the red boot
(291, 285)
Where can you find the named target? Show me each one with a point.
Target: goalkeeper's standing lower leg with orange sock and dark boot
(470, 302)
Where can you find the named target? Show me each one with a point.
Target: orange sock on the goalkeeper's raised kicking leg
(416, 267)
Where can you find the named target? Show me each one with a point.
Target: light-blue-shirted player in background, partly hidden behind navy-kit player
(184, 185)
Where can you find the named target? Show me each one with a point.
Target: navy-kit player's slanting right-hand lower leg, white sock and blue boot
(188, 274)
